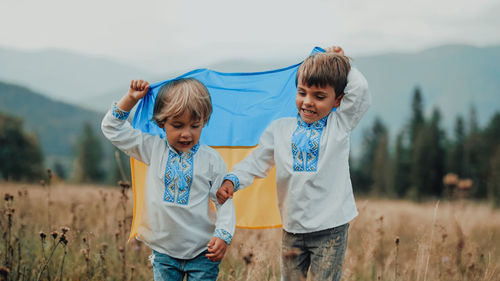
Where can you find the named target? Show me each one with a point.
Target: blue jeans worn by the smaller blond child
(199, 268)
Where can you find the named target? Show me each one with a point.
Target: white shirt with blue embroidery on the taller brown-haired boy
(314, 185)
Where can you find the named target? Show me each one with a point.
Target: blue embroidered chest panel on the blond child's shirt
(179, 176)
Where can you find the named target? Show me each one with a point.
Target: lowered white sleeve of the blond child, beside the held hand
(225, 222)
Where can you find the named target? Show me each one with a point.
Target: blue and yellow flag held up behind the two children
(244, 104)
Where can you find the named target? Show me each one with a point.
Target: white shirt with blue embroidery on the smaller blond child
(177, 218)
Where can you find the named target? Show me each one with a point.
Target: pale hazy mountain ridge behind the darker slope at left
(64, 75)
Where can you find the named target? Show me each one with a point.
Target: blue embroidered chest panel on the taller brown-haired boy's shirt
(305, 144)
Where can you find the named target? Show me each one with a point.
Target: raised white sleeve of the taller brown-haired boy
(355, 102)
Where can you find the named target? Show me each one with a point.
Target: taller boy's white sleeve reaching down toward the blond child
(257, 164)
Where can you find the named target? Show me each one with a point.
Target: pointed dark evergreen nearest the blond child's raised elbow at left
(89, 157)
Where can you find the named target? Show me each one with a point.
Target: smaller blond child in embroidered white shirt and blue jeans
(181, 178)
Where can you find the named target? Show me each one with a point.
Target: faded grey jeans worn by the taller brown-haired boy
(321, 252)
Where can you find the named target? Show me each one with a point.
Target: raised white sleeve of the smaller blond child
(132, 142)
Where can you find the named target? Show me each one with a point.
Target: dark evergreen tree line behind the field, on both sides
(423, 162)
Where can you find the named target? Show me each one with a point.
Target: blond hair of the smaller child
(179, 95)
